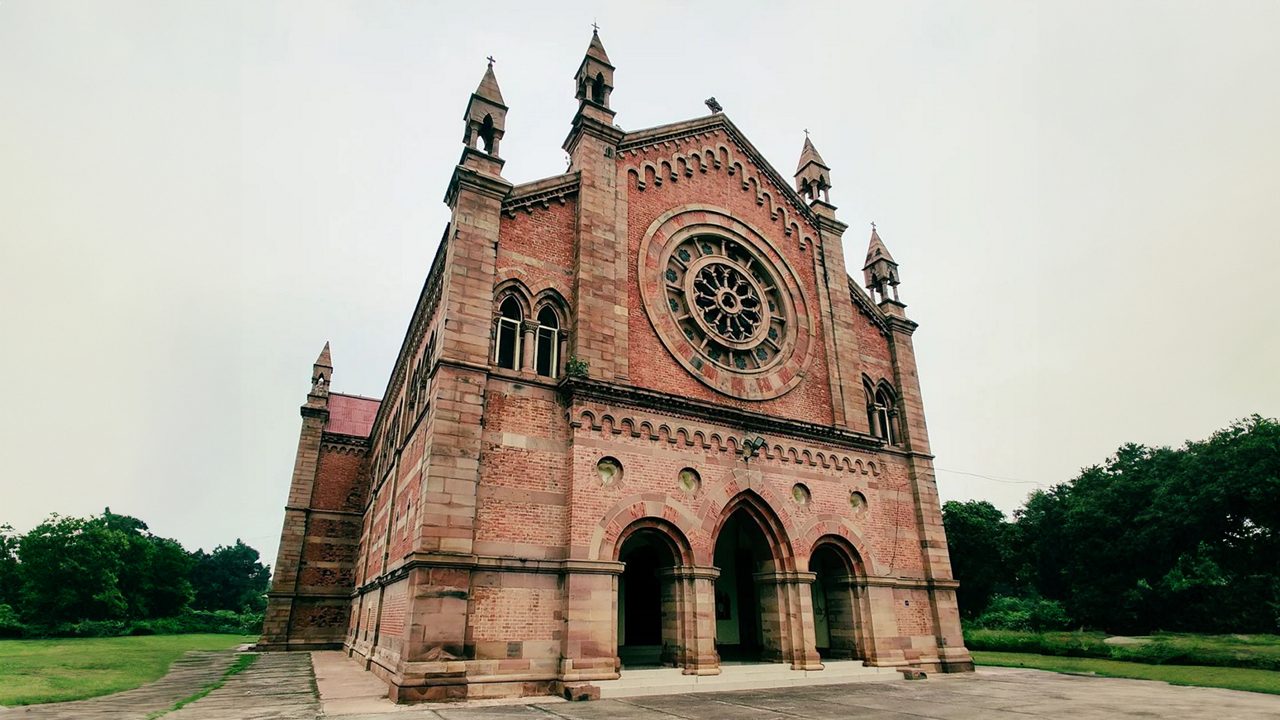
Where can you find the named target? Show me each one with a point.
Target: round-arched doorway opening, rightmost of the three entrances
(835, 603)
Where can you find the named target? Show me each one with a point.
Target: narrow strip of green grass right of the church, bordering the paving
(1229, 678)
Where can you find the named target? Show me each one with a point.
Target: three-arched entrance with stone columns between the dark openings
(757, 601)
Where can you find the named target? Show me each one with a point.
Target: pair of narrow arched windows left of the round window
(529, 334)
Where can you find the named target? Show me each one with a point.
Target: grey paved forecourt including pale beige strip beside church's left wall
(994, 694)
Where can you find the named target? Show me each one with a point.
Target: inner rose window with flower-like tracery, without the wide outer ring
(726, 303)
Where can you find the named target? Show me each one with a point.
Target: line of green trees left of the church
(109, 575)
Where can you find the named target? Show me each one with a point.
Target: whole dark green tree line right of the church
(1154, 539)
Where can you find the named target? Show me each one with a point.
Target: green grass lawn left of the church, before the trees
(57, 671)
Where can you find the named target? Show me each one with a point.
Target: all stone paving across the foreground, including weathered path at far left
(285, 687)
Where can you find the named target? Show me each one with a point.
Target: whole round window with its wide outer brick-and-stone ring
(725, 304)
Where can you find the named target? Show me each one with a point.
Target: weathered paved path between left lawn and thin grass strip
(188, 675)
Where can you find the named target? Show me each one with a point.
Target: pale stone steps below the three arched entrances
(669, 681)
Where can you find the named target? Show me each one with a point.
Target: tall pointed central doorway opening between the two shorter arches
(743, 605)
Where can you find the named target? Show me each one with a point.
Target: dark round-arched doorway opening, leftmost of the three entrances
(648, 634)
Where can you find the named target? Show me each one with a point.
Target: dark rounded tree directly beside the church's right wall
(979, 544)
